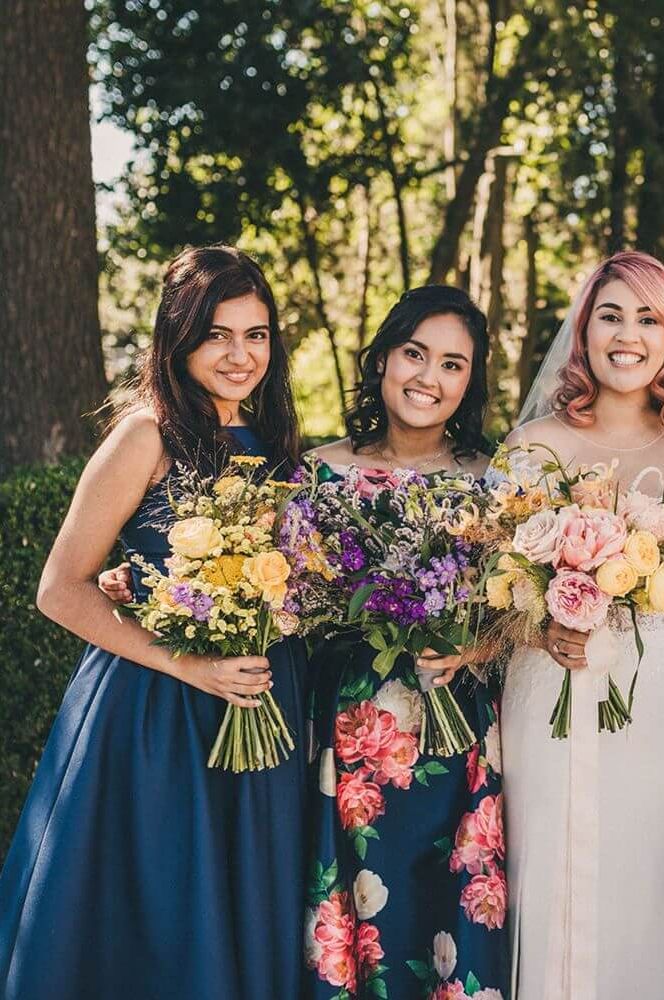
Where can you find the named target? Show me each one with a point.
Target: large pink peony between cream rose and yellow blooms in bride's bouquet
(589, 537)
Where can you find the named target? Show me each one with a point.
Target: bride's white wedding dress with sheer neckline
(585, 815)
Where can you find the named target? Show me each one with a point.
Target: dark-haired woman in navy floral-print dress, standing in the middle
(399, 906)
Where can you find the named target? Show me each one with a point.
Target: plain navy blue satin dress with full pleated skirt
(136, 873)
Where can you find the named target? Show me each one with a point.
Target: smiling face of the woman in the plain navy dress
(235, 357)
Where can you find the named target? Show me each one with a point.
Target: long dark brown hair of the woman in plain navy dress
(196, 281)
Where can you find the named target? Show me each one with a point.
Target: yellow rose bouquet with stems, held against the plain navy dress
(223, 595)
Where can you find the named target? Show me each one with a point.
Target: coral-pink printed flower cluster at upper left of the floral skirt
(369, 736)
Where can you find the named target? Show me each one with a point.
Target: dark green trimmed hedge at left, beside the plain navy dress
(36, 656)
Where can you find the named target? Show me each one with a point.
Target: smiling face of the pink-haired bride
(625, 340)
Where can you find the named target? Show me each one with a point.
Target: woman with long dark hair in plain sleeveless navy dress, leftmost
(135, 871)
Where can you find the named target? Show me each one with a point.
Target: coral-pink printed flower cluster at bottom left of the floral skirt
(345, 949)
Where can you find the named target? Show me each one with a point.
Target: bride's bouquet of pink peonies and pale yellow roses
(576, 547)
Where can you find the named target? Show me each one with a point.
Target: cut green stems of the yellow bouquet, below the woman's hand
(252, 739)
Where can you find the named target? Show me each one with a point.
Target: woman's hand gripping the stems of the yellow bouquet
(234, 678)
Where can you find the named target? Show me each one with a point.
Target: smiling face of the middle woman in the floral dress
(425, 379)
